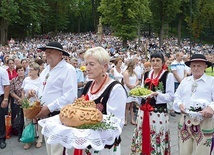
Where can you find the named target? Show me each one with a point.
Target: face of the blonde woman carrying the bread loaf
(93, 68)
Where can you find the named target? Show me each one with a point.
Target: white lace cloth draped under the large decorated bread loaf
(70, 137)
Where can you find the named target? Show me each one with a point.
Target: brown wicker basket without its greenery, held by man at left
(30, 113)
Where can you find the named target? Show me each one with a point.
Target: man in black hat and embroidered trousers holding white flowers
(194, 98)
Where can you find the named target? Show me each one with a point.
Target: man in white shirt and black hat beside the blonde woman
(58, 86)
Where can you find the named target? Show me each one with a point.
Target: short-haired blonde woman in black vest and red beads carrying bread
(108, 94)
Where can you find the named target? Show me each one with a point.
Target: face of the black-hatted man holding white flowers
(198, 68)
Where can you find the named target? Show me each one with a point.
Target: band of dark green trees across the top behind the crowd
(126, 18)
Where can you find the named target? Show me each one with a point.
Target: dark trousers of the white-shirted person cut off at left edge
(2, 121)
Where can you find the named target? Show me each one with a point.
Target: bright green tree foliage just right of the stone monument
(123, 16)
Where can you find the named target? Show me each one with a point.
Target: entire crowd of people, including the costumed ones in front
(58, 69)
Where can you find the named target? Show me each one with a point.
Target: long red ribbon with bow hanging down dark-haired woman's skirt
(146, 139)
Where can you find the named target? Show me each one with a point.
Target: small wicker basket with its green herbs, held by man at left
(30, 111)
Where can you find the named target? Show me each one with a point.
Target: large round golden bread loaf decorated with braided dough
(79, 113)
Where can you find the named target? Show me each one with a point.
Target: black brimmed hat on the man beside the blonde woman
(56, 46)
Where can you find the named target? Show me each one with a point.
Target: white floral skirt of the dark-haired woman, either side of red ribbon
(159, 133)
